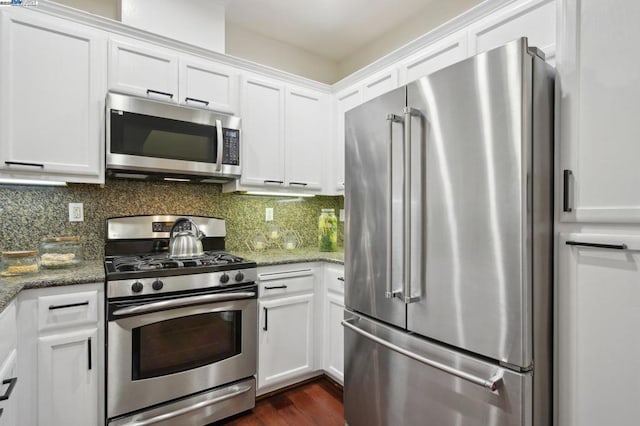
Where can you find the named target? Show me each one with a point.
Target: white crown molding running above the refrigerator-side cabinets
(457, 23)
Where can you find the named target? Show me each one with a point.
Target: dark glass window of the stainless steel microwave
(147, 136)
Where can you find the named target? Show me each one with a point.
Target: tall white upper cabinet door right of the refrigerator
(599, 89)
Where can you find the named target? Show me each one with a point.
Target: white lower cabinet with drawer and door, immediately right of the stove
(285, 326)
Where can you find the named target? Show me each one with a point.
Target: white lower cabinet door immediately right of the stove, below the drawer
(285, 349)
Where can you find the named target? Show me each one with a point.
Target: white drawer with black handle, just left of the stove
(66, 310)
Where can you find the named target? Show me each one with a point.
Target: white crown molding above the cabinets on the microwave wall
(117, 27)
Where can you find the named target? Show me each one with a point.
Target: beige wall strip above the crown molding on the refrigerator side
(434, 15)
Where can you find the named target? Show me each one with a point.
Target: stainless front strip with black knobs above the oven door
(166, 284)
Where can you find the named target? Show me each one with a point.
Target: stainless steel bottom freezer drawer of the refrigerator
(394, 378)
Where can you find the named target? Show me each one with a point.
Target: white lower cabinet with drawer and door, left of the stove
(62, 367)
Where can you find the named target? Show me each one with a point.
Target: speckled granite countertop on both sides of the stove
(92, 271)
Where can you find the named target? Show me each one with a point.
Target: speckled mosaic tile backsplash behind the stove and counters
(28, 214)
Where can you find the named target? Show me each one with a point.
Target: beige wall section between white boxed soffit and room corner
(254, 47)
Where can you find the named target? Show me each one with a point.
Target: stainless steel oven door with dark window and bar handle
(163, 350)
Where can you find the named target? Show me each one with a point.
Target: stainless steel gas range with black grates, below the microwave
(181, 332)
